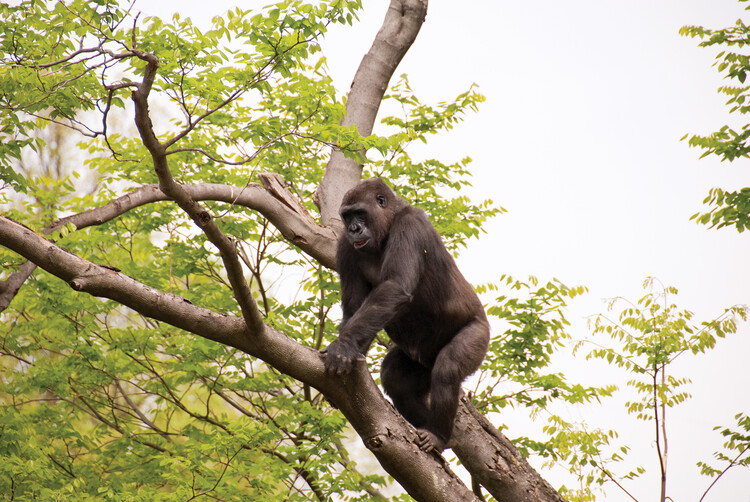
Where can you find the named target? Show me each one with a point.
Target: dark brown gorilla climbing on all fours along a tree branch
(397, 275)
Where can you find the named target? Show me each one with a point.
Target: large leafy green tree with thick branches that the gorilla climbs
(110, 392)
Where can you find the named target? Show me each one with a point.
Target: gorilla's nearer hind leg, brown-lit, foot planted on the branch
(457, 360)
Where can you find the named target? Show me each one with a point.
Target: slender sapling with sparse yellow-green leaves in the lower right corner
(648, 336)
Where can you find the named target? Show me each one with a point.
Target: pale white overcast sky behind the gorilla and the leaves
(579, 140)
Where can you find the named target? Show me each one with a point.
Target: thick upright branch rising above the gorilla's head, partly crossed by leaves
(400, 28)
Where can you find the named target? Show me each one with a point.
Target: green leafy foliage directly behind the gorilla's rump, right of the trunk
(517, 373)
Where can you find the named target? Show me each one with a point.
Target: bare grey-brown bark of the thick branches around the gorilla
(487, 454)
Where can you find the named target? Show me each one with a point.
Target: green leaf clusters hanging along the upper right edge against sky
(729, 207)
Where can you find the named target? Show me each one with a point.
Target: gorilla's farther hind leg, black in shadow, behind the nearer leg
(407, 383)
